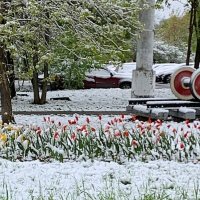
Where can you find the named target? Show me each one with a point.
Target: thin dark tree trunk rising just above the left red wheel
(190, 34)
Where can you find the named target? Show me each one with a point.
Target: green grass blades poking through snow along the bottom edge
(109, 192)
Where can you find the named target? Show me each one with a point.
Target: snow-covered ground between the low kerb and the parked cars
(91, 99)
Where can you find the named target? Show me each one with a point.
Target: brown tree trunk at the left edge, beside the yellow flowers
(6, 106)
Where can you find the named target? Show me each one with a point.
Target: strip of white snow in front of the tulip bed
(26, 179)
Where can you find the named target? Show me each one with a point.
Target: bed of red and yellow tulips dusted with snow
(122, 138)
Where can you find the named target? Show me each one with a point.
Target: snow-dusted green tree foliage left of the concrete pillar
(69, 36)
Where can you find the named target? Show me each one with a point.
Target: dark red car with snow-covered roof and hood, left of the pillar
(105, 78)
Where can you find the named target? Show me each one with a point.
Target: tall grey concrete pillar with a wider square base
(143, 79)
